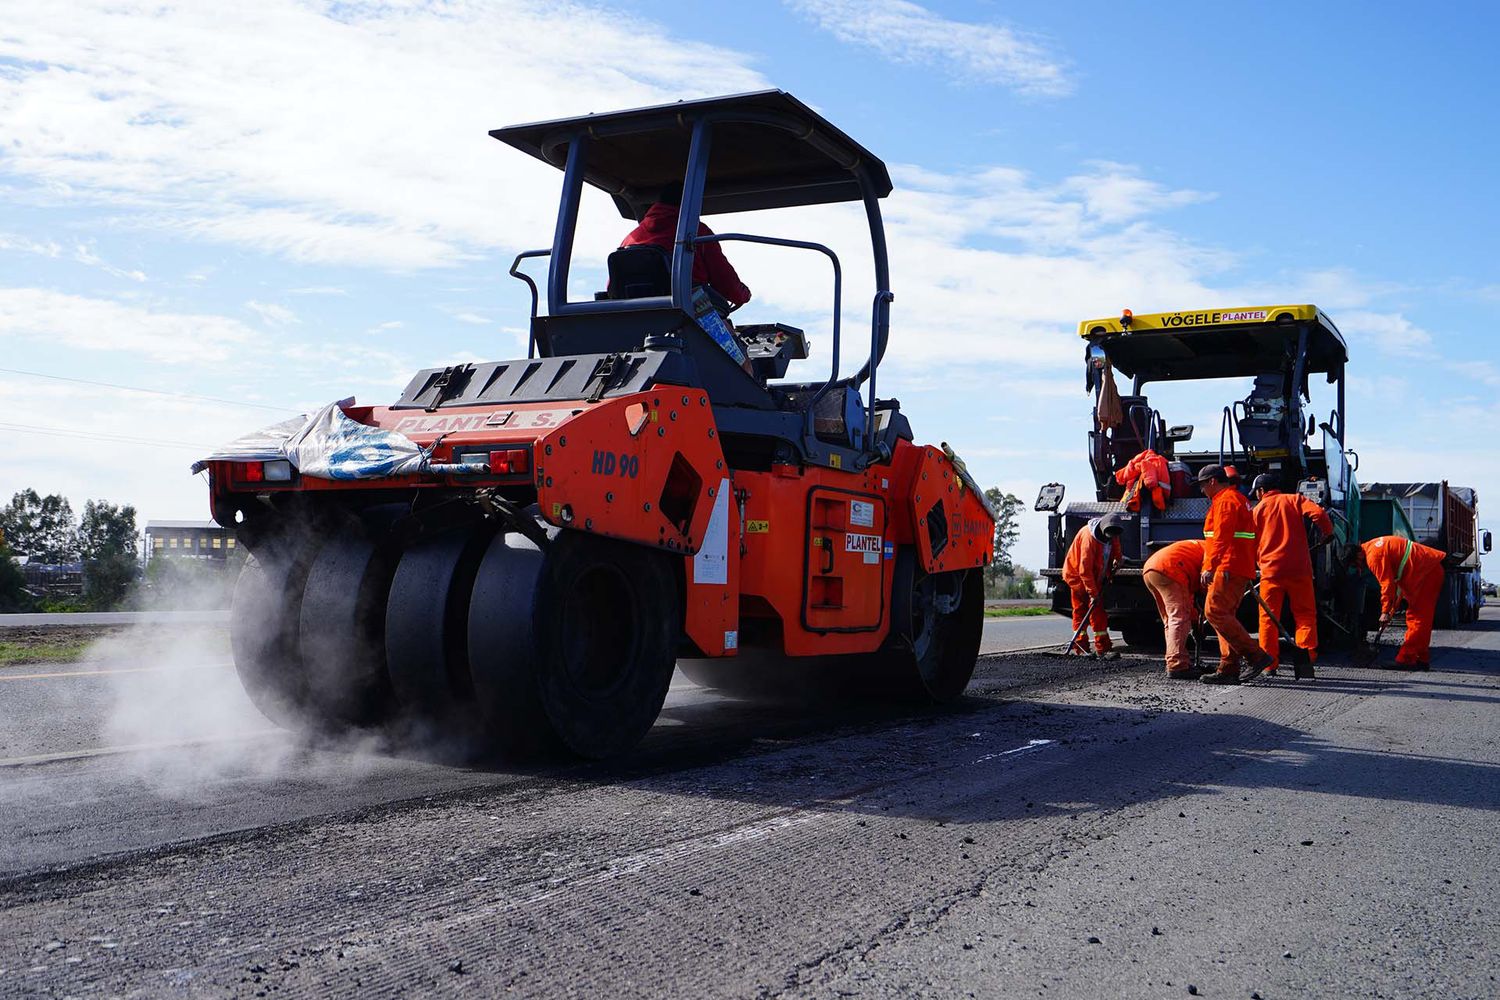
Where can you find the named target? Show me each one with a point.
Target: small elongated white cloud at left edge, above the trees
(101, 325)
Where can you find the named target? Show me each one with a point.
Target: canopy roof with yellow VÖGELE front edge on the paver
(1217, 343)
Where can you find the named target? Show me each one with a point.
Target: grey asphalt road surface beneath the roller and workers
(1072, 830)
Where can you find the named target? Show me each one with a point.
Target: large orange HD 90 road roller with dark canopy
(517, 554)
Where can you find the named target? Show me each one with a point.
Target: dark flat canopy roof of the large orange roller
(769, 151)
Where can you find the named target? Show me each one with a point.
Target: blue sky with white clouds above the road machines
(296, 202)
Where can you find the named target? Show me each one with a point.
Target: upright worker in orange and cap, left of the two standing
(1229, 567)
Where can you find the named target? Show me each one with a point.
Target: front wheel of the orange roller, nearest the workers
(937, 624)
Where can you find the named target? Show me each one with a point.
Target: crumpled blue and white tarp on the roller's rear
(328, 446)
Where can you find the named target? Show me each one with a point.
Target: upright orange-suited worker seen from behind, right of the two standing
(1286, 564)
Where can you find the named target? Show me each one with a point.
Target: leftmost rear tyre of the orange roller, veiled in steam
(263, 635)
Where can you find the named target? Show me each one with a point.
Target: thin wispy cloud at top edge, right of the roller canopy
(910, 34)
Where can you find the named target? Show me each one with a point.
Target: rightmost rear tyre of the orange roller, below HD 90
(575, 645)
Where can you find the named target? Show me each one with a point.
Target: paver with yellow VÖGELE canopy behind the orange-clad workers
(1267, 427)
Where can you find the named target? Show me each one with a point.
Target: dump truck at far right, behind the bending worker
(1445, 518)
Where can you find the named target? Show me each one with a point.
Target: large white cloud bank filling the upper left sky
(350, 134)
